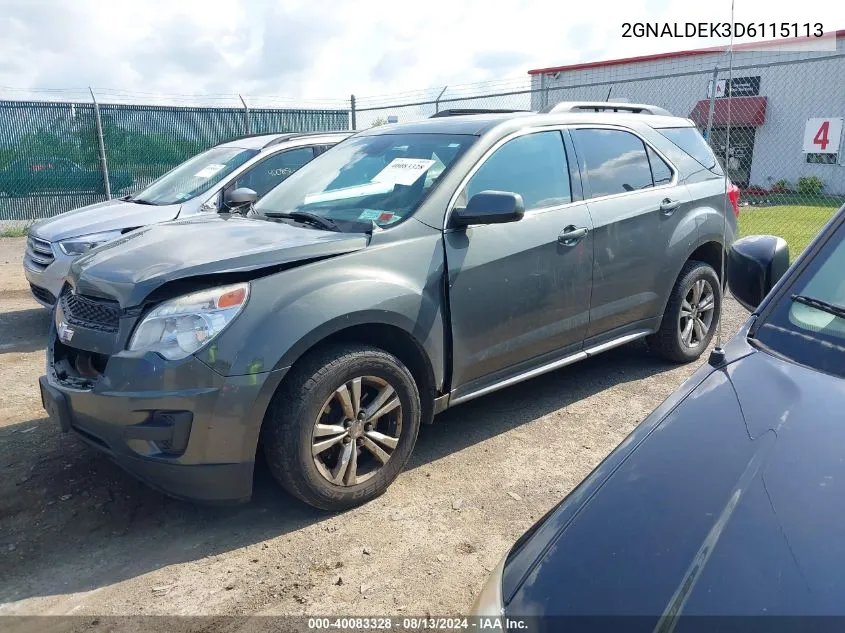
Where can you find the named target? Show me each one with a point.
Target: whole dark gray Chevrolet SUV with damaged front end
(406, 270)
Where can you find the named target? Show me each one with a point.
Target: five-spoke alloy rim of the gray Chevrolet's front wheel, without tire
(357, 430)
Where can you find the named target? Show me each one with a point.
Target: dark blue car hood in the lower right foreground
(731, 505)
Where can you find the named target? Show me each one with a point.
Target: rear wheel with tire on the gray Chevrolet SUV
(691, 315)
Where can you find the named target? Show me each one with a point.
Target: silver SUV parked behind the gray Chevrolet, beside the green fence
(204, 183)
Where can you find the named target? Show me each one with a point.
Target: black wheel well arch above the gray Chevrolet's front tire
(396, 341)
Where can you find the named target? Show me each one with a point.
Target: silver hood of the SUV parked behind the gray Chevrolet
(104, 216)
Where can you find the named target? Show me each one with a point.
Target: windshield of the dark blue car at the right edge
(807, 324)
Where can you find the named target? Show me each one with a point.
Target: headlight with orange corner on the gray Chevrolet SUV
(181, 326)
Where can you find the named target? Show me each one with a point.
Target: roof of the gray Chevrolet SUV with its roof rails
(478, 124)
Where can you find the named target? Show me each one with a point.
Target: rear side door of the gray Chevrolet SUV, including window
(635, 204)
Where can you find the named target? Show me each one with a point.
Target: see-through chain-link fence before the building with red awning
(773, 118)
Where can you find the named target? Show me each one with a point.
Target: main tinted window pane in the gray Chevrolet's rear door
(616, 161)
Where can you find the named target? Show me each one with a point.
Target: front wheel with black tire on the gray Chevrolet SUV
(343, 426)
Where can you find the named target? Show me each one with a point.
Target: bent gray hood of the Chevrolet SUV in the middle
(131, 267)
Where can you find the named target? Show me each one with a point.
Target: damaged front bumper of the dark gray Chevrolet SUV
(177, 425)
